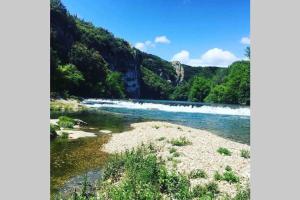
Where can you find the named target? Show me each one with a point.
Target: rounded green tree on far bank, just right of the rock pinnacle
(200, 89)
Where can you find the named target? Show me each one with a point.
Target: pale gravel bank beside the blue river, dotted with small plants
(195, 149)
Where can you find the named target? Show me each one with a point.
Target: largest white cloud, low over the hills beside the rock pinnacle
(212, 57)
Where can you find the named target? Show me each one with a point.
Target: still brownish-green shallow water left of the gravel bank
(72, 158)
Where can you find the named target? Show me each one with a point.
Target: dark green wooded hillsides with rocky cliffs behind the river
(88, 61)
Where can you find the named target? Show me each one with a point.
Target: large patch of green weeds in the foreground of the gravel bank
(140, 174)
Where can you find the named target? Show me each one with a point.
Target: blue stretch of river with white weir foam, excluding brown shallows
(230, 121)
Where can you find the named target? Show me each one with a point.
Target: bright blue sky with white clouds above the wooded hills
(195, 32)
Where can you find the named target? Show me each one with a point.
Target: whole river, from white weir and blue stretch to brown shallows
(71, 160)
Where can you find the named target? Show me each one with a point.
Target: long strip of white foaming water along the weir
(226, 110)
